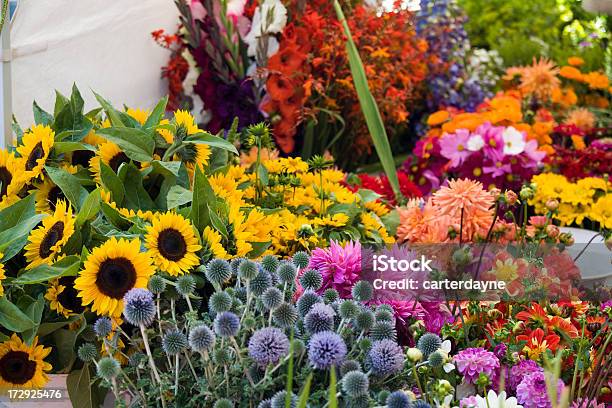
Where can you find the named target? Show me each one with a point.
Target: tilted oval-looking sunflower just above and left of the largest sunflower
(46, 241)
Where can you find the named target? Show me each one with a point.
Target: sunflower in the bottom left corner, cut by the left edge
(23, 366)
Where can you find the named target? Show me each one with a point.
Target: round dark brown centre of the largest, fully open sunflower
(115, 277)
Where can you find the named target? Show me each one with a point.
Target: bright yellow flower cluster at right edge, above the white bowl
(587, 199)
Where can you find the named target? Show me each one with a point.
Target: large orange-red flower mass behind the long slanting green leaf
(311, 72)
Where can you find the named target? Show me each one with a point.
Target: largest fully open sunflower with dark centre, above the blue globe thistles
(111, 270)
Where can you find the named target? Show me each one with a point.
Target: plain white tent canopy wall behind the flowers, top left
(98, 44)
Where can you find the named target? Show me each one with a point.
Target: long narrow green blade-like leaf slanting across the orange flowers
(369, 106)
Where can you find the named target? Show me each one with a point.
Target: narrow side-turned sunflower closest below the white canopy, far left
(37, 144)
